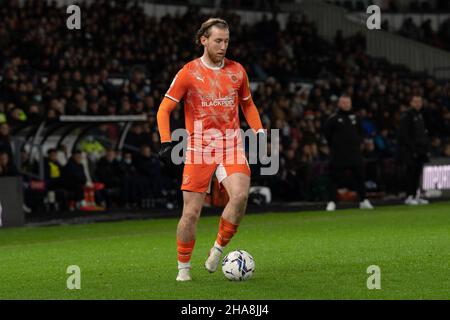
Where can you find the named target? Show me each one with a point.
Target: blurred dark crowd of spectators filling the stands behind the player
(48, 71)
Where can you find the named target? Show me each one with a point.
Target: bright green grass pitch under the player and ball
(304, 255)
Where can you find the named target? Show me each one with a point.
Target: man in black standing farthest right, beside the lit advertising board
(413, 149)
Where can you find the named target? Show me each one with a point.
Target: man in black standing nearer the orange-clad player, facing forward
(344, 135)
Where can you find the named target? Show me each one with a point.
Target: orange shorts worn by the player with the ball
(197, 177)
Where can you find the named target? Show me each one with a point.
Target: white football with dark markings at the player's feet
(238, 265)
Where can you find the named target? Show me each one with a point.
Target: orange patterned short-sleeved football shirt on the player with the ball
(211, 101)
